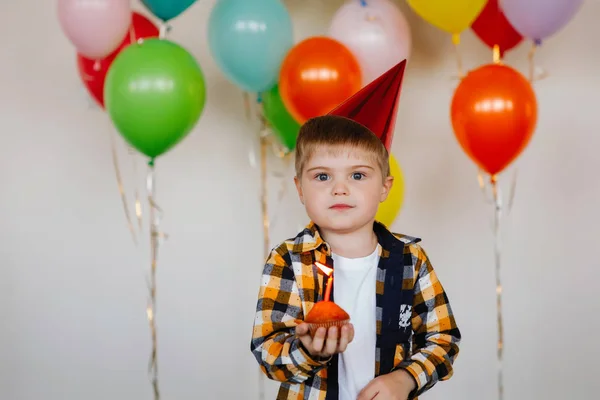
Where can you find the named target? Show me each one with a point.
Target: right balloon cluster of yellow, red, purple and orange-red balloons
(494, 108)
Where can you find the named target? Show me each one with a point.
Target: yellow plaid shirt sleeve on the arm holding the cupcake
(279, 310)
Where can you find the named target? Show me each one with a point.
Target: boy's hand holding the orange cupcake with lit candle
(325, 344)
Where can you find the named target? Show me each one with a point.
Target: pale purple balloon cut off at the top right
(539, 19)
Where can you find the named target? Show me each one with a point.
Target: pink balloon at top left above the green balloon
(95, 27)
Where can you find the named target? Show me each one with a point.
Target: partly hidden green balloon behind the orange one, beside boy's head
(284, 125)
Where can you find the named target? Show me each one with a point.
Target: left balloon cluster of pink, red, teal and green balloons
(152, 88)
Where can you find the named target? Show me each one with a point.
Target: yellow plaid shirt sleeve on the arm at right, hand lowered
(436, 335)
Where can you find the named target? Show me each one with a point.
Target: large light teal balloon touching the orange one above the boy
(249, 40)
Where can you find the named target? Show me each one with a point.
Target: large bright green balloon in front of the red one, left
(154, 93)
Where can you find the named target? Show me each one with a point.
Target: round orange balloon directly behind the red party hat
(317, 75)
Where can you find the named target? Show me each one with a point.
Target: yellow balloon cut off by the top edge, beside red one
(451, 16)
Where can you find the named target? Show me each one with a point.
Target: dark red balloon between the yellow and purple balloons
(493, 28)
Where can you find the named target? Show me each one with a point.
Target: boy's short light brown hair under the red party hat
(336, 131)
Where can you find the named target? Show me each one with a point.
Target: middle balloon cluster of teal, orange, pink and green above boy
(252, 42)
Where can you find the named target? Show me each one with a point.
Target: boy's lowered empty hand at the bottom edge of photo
(396, 385)
